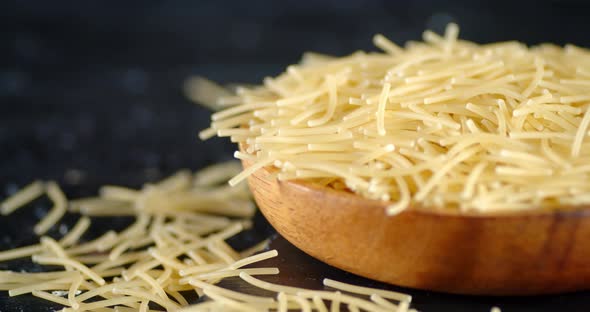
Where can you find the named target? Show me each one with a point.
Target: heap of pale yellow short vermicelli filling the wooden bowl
(437, 121)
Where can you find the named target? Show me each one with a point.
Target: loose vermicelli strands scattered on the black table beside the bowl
(184, 251)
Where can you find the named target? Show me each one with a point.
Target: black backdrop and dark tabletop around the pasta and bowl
(93, 88)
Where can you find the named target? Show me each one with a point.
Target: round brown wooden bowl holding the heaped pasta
(530, 253)
